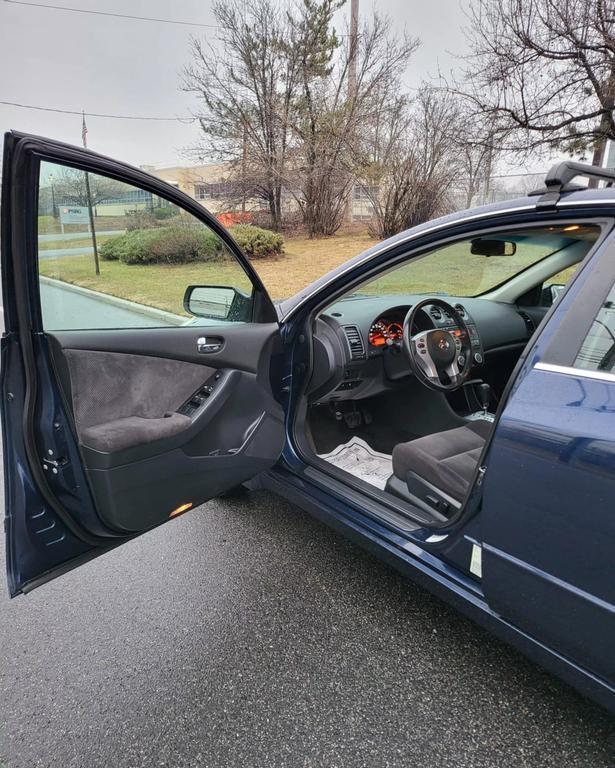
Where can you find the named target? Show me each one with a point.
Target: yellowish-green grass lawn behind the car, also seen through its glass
(452, 270)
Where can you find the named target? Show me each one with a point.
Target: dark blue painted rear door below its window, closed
(547, 544)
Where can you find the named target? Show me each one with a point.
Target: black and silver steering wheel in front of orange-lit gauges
(438, 354)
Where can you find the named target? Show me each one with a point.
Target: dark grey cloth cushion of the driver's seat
(446, 460)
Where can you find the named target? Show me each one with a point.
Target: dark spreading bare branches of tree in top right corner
(543, 72)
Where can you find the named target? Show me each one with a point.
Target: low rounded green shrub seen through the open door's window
(165, 245)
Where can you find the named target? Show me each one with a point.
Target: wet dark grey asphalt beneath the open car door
(245, 633)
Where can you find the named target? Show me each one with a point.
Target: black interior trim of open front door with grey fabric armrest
(143, 457)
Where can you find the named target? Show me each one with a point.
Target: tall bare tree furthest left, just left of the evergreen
(246, 85)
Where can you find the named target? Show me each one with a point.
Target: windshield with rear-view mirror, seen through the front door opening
(456, 270)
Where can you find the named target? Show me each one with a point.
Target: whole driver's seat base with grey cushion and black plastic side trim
(445, 461)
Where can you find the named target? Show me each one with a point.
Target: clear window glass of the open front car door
(113, 255)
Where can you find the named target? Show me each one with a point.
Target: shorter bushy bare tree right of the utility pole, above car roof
(409, 173)
